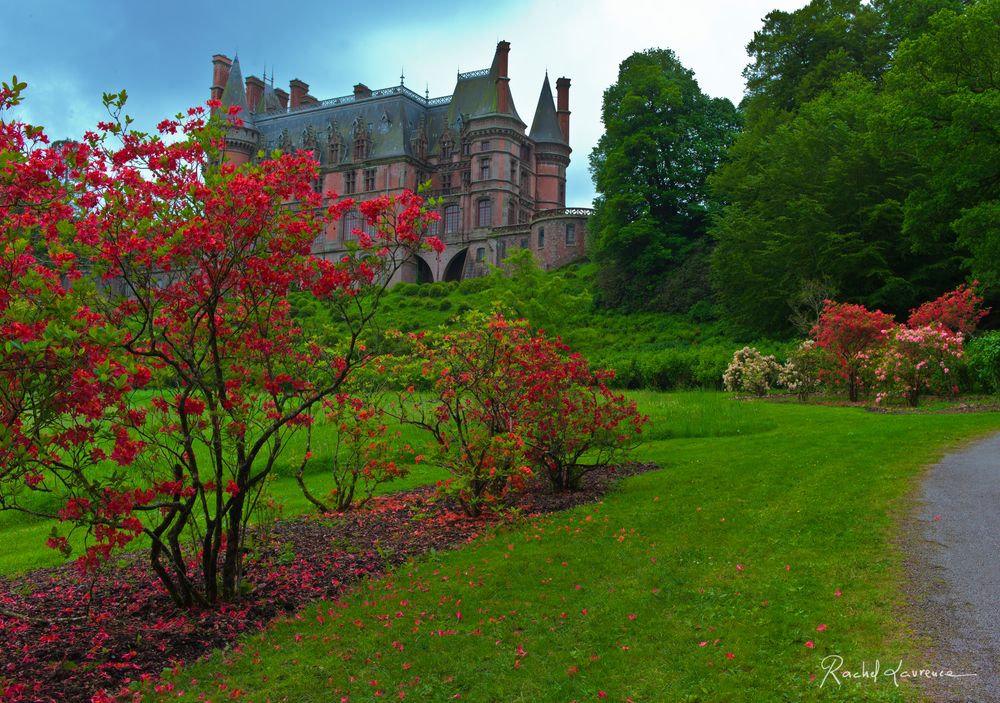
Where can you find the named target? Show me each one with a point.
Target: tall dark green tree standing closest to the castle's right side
(663, 137)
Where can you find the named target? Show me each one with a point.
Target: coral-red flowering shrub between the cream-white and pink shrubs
(850, 334)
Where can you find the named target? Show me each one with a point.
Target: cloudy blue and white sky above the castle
(70, 52)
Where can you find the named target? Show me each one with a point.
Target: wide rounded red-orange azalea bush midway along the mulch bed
(507, 402)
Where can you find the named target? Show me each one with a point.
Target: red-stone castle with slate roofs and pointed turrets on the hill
(501, 185)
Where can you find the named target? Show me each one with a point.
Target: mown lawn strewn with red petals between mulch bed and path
(762, 515)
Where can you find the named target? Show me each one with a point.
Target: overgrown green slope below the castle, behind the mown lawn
(646, 349)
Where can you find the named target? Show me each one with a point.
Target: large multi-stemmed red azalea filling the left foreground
(151, 372)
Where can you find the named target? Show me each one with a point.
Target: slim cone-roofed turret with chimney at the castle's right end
(551, 151)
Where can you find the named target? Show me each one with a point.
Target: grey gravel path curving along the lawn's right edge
(954, 564)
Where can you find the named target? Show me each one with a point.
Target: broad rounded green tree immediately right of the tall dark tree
(815, 209)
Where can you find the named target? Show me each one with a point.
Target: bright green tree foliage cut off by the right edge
(943, 107)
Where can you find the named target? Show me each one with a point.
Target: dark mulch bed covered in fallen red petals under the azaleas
(64, 639)
